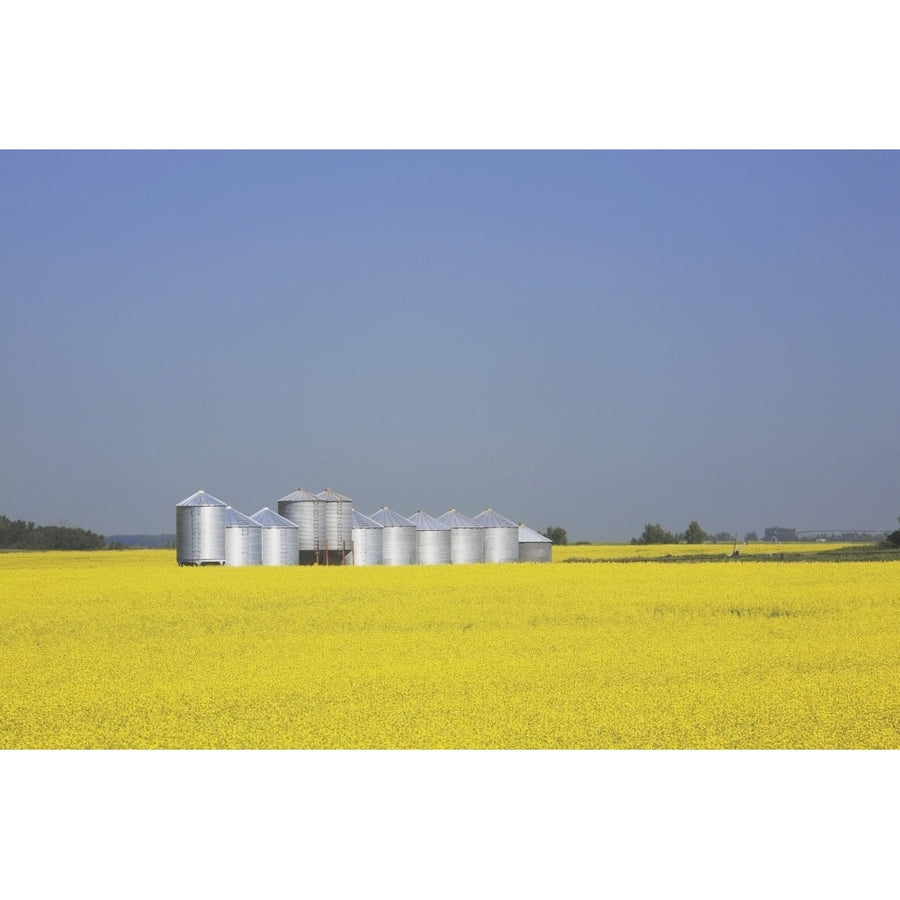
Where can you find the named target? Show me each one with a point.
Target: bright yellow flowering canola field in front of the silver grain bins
(127, 650)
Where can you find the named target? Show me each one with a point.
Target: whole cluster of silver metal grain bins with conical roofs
(324, 528)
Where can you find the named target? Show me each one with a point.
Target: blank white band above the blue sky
(194, 74)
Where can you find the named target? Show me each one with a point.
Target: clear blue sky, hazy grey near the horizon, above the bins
(591, 339)
